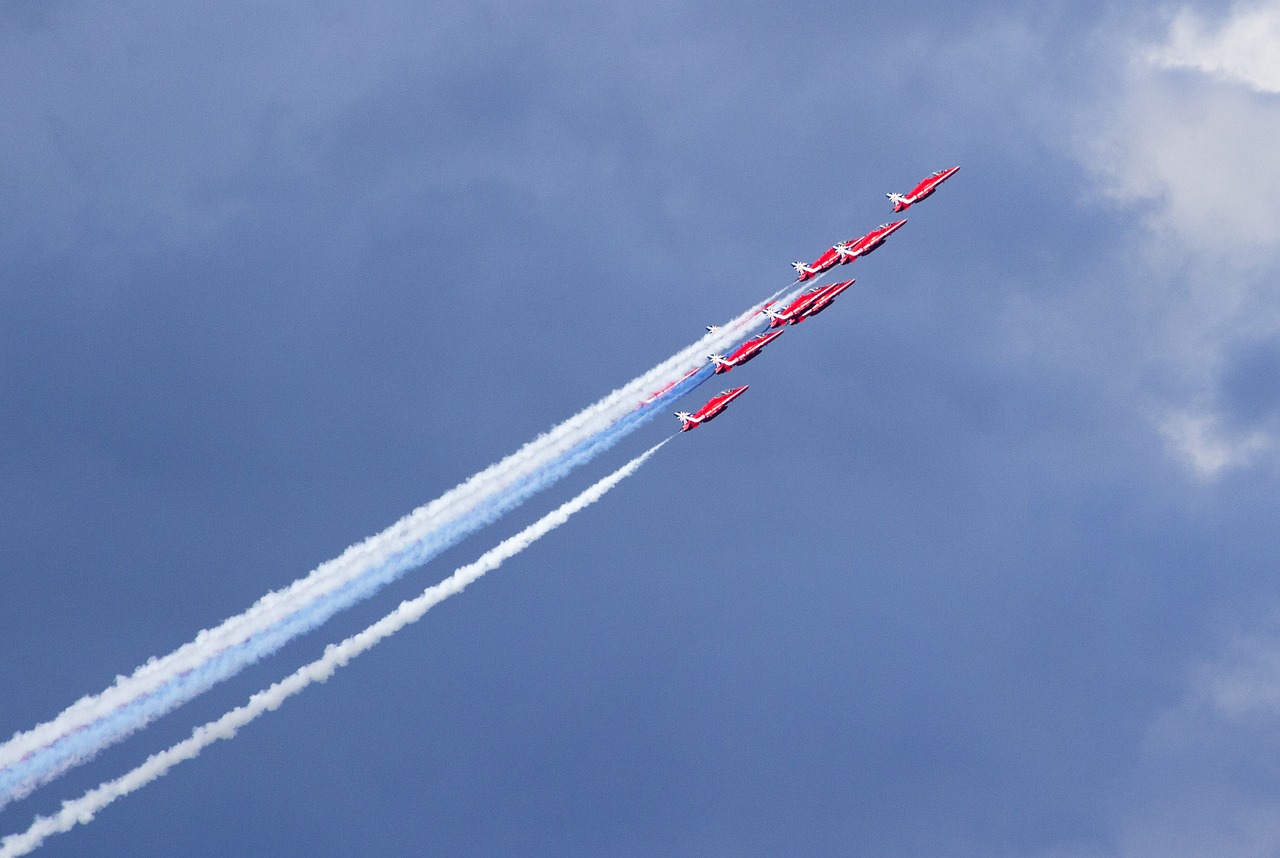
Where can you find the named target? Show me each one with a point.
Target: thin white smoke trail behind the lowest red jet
(83, 810)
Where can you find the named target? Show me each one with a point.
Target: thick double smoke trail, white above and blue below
(94, 723)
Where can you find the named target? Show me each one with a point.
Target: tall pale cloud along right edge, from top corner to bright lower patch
(1186, 143)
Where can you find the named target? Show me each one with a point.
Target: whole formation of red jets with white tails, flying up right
(808, 304)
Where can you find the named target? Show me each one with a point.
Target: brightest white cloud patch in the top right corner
(1245, 49)
